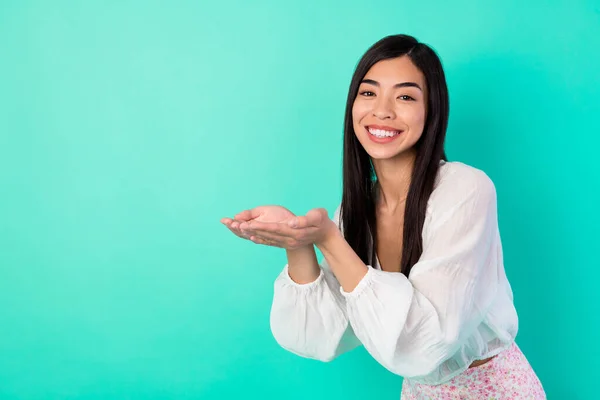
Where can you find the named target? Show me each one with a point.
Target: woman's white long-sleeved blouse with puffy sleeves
(455, 307)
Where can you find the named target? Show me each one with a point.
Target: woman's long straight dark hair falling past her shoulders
(357, 211)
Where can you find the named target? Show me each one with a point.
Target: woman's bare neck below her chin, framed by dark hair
(394, 177)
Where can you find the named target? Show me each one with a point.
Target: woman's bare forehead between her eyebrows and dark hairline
(395, 70)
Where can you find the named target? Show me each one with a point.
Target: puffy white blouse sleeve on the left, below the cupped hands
(310, 320)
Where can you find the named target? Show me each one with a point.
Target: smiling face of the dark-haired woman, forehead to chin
(389, 111)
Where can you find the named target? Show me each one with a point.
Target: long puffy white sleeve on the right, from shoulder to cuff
(412, 325)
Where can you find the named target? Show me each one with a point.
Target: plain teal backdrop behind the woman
(128, 129)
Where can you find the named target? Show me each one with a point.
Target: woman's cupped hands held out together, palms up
(279, 227)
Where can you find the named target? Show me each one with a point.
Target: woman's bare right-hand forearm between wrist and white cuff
(345, 264)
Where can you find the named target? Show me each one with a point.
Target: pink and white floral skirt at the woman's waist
(507, 376)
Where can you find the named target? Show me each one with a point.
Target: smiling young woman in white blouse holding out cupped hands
(413, 266)
